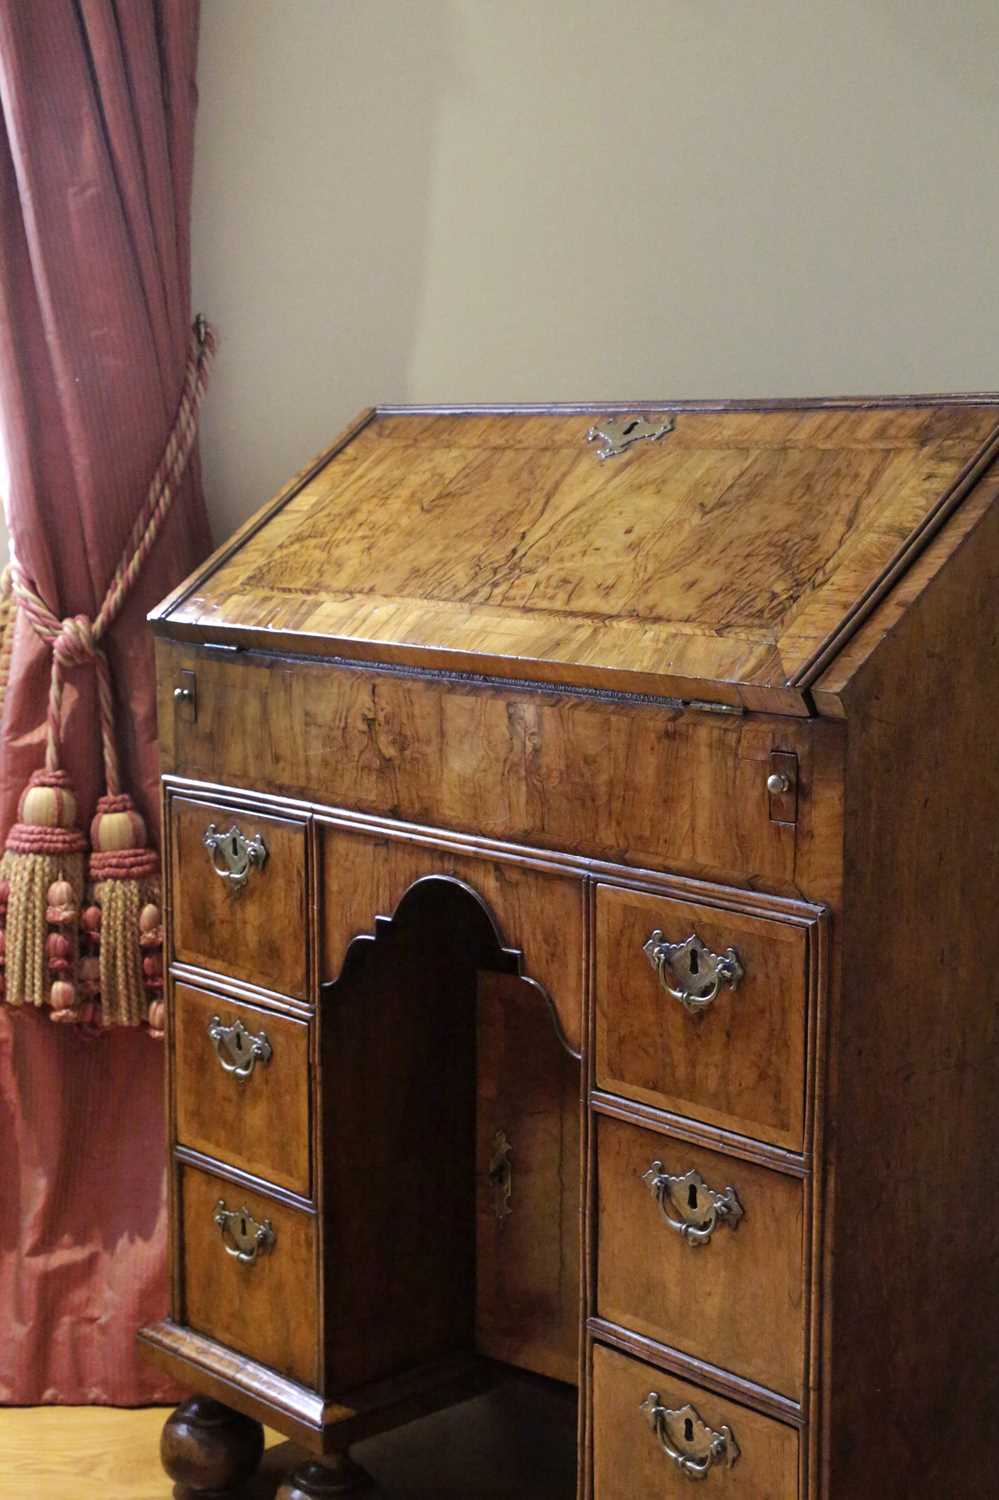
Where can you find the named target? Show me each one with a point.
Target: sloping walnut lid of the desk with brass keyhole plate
(746, 556)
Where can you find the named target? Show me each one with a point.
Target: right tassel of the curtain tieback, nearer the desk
(124, 884)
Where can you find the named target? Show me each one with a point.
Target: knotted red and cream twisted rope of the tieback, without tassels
(77, 640)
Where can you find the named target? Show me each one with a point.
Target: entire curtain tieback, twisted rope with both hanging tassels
(80, 920)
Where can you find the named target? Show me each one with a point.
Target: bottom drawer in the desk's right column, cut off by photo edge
(640, 1414)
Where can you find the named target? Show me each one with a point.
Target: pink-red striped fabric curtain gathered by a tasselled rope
(97, 136)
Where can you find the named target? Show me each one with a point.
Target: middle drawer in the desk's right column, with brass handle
(731, 1295)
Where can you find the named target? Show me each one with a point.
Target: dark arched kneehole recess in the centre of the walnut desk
(452, 1156)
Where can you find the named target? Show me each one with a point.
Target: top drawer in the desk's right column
(740, 1060)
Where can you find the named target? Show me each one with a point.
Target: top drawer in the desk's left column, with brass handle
(247, 922)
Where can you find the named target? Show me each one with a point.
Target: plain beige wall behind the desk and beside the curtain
(473, 200)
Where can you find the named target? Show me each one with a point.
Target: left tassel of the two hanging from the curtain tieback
(44, 851)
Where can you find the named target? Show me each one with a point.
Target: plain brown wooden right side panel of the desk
(913, 1316)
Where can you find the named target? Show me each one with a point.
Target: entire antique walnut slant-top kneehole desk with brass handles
(581, 878)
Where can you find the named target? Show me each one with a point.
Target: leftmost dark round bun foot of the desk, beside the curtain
(208, 1450)
